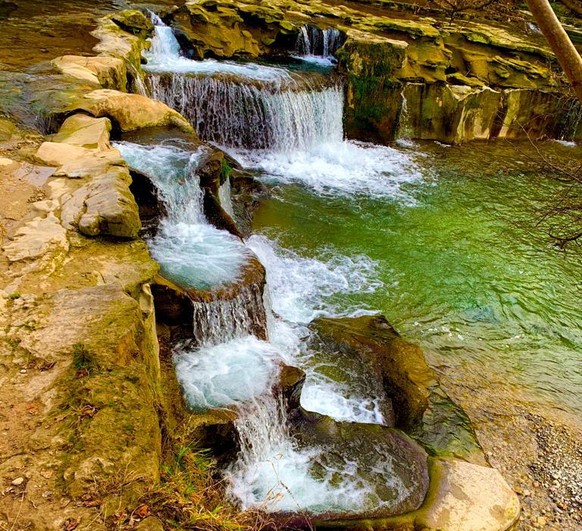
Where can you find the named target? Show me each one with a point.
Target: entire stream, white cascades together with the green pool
(429, 235)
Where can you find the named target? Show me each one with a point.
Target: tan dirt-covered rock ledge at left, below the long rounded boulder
(80, 374)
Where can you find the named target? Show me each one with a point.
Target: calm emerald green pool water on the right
(465, 271)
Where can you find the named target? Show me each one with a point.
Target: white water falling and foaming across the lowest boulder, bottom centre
(275, 475)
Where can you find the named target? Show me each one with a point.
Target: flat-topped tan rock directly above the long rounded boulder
(109, 72)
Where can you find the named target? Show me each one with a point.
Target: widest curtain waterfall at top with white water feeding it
(246, 105)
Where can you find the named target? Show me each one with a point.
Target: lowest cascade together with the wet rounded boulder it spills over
(276, 473)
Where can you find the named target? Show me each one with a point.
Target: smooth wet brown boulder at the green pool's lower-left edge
(421, 406)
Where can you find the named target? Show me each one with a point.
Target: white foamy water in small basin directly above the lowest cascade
(227, 374)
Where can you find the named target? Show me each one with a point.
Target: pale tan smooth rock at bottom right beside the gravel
(468, 497)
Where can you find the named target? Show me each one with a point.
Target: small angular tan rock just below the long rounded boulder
(84, 131)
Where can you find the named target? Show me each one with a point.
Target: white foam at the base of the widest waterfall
(339, 168)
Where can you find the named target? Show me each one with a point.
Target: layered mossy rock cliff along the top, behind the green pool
(407, 74)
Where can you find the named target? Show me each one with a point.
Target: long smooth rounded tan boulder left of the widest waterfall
(131, 111)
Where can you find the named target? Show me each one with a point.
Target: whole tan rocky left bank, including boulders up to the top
(82, 406)
